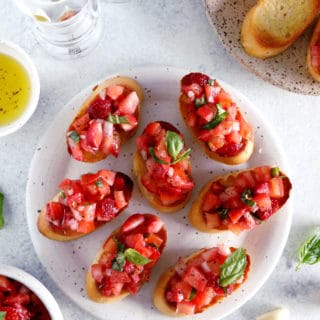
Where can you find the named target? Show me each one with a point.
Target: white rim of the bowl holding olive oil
(14, 51)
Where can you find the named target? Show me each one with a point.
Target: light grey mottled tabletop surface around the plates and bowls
(174, 33)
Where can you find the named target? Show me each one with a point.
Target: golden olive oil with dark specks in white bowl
(15, 89)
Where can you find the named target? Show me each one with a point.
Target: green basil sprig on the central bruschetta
(174, 144)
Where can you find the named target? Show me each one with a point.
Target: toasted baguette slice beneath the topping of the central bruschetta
(140, 170)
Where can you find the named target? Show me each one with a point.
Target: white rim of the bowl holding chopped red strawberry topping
(36, 287)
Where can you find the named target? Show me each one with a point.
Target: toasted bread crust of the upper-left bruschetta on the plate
(124, 136)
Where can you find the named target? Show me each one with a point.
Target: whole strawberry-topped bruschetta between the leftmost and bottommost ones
(126, 260)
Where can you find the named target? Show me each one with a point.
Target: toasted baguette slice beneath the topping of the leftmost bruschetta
(50, 231)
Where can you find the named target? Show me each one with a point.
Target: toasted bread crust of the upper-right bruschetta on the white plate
(241, 157)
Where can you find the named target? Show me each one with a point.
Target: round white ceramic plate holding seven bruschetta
(67, 263)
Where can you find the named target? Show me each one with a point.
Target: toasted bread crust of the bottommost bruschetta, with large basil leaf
(159, 297)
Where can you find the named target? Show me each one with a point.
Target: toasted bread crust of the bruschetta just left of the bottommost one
(92, 290)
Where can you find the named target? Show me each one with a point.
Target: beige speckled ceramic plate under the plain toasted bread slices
(287, 70)
